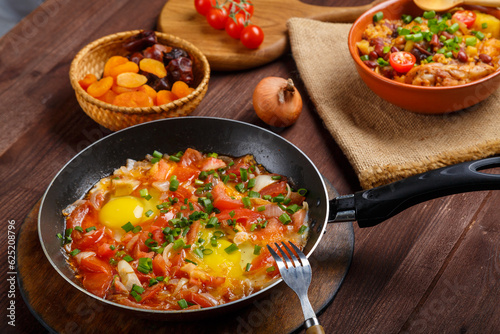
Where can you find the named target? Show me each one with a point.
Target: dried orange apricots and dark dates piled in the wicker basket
(152, 74)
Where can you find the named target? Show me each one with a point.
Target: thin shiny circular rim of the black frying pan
(261, 292)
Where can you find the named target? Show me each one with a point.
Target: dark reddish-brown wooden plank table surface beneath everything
(433, 268)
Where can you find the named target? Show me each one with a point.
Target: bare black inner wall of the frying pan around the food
(223, 136)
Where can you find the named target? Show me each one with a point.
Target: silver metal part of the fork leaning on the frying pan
(297, 275)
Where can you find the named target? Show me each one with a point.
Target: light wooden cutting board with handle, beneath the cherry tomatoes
(179, 18)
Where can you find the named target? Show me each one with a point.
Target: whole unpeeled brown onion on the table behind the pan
(273, 109)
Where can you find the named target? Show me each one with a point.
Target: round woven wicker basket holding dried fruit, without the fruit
(91, 59)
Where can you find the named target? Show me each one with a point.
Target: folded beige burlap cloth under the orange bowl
(383, 142)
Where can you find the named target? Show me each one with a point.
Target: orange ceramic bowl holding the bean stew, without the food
(425, 100)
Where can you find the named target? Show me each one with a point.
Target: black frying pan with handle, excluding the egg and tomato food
(236, 139)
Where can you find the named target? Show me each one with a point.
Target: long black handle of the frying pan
(373, 206)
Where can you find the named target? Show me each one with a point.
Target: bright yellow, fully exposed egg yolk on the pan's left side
(121, 210)
